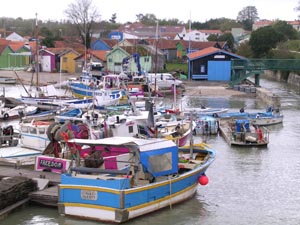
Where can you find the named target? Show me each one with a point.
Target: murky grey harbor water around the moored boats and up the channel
(256, 186)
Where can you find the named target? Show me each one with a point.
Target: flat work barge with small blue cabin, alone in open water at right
(240, 132)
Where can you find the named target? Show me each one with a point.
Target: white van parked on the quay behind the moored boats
(163, 80)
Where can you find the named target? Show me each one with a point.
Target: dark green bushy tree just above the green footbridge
(263, 40)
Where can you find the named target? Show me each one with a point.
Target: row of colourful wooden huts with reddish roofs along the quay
(207, 60)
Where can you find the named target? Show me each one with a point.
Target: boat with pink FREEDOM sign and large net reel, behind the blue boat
(56, 157)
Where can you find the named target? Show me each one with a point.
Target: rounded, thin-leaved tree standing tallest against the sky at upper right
(247, 17)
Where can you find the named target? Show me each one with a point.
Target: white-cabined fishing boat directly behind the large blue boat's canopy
(147, 125)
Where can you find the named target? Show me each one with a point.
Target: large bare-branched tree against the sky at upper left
(83, 14)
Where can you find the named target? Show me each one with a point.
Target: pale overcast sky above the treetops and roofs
(196, 10)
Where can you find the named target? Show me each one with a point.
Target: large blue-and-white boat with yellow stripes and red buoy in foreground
(154, 174)
